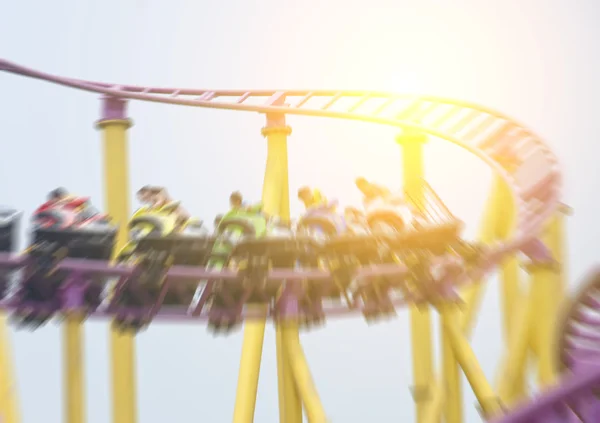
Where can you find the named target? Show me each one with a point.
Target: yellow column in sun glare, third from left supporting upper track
(420, 317)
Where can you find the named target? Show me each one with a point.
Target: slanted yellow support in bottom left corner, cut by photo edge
(9, 404)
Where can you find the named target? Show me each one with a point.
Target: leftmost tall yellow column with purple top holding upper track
(113, 125)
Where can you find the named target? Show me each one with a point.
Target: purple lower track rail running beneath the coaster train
(80, 273)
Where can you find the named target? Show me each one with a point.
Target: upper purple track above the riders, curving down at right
(521, 158)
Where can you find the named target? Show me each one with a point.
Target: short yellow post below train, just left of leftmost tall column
(74, 368)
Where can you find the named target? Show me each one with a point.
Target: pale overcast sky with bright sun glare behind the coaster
(536, 60)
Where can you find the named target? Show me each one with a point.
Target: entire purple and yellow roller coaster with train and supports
(403, 250)
